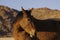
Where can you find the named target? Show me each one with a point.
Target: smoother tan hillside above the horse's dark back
(46, 13)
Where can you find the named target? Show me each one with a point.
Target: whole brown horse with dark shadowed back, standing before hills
(45, 29)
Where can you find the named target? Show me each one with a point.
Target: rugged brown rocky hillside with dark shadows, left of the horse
(7, 16)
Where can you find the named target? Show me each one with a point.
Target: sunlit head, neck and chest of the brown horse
(26, 25)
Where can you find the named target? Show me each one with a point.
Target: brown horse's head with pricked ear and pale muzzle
(26, 23)
